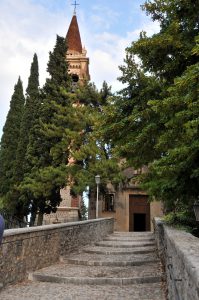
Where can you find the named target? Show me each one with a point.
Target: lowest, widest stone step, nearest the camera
(63, 273)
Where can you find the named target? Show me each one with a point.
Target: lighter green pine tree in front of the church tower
(91, 151)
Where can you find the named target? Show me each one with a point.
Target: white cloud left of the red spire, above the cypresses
(24, 29)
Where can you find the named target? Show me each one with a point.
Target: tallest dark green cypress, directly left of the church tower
(43, 181)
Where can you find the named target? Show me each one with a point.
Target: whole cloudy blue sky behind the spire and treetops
(31, 26)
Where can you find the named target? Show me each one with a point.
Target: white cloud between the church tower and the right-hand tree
(107, 53)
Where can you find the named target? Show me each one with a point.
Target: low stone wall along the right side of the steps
(179, 252)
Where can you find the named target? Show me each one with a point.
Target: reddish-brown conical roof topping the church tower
(73, 36)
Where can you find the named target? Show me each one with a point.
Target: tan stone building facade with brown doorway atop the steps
(128, 205)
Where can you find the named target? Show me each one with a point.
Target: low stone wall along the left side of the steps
(28, 249)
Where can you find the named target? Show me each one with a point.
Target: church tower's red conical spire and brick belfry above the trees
(76, 54)
